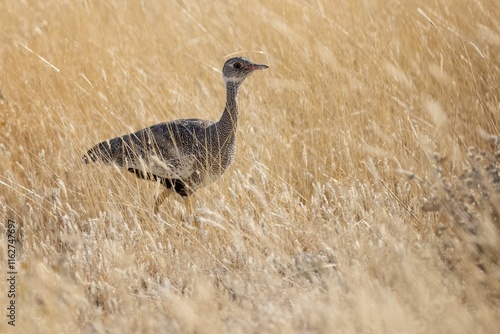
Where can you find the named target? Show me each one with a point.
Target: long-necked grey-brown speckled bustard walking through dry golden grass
(182, 155)
